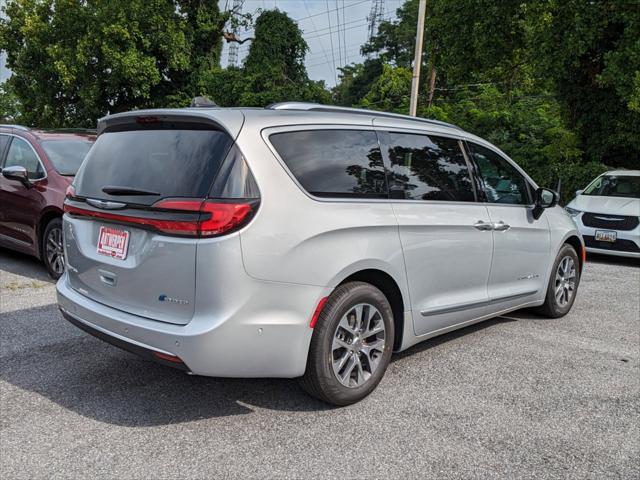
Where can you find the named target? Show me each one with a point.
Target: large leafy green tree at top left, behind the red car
(74, 62)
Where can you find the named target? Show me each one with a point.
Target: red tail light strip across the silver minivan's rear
(212, 219)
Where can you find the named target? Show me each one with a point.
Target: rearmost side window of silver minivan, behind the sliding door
(334, 163)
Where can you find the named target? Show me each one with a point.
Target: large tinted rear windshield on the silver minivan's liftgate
(167, 162)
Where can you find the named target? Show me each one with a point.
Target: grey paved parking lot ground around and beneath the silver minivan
(515, 397)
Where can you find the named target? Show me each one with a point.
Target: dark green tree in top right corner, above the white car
(590, 51)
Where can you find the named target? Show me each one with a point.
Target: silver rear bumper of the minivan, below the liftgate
(268, 337)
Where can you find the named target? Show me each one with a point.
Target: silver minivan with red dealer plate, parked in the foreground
(303, 241)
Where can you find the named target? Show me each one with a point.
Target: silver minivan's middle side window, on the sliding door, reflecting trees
(428, 168)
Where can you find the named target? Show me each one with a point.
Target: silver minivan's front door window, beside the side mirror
(501, 181)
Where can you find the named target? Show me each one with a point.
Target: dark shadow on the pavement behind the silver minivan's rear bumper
(99, 381)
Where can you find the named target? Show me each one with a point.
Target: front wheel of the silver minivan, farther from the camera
(563, 284)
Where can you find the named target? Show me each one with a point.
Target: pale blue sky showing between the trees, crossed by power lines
(329, 47)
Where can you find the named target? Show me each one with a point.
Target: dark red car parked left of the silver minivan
(36, 168)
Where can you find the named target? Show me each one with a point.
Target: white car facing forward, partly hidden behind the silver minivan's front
(607, 213)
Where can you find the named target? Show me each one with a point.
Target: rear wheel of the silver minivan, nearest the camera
(351, 345)
